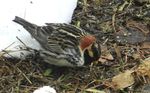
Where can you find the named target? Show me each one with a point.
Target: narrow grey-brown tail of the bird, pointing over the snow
(31, 28)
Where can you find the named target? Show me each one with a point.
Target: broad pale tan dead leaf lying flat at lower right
(123, 80)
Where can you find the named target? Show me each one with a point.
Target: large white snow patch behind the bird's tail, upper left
(35, 11)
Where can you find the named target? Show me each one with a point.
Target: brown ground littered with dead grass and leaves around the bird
(123, 28)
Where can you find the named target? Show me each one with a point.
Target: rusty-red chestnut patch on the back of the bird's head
(86, 41)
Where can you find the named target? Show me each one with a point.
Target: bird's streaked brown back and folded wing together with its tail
(57, 38)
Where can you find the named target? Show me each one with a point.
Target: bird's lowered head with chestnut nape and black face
(90, 49)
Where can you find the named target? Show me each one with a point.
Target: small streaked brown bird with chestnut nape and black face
(63, 44)
